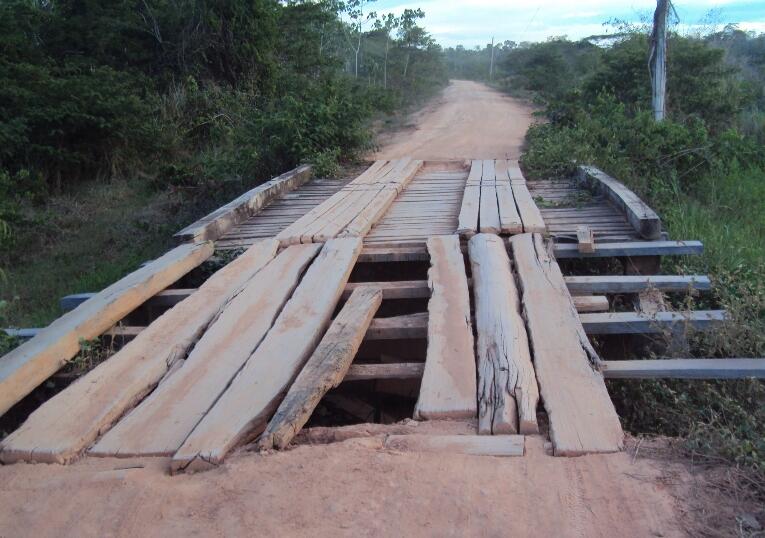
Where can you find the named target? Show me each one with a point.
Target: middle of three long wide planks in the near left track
(159, 425)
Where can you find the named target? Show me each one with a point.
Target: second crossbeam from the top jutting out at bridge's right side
(636, 283)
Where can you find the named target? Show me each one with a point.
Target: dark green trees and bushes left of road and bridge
(121, 121)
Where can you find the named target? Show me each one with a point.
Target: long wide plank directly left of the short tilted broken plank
(242, 411)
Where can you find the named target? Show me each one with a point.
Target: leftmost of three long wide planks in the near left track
(64, 425)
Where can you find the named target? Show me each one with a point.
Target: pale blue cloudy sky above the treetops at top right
(474, 22)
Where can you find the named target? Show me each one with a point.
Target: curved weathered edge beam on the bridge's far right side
(642, 218)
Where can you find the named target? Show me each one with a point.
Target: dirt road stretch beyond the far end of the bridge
(467, 121)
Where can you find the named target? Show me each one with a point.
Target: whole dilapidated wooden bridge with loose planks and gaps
(433, 290)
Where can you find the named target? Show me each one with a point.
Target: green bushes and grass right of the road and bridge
(702, 169)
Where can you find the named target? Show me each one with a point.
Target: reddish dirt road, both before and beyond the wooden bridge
(354, 486)
